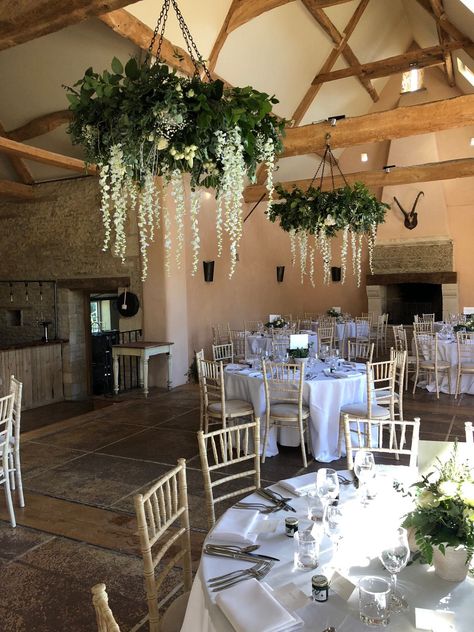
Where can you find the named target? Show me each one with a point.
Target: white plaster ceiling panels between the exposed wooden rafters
(278, 52)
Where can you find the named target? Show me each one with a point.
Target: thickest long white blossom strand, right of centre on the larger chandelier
(230, 151)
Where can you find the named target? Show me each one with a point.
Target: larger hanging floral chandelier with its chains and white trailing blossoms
(143, 120)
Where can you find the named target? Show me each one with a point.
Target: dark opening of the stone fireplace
(404, 300)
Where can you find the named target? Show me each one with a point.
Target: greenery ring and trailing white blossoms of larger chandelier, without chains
(142, 120)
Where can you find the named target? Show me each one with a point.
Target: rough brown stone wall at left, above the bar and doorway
(59, 237)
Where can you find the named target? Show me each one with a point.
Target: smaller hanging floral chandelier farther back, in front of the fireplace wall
(313, 217)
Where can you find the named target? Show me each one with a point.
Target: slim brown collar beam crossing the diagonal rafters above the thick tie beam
(422, 58)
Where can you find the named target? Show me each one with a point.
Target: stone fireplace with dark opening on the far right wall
(413, 277)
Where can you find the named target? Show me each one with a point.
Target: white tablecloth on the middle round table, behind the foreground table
(324, 395)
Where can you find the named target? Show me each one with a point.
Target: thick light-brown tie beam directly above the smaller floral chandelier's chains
(379, 126)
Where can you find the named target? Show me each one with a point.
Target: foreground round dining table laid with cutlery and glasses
(357, 556)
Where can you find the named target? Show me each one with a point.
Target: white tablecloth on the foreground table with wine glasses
(359, 550)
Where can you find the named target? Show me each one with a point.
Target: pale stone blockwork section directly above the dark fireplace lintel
(414, 256)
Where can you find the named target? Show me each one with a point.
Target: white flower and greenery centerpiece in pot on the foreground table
(443, 519)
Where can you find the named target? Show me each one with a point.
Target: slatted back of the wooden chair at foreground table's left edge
(163, 529)
